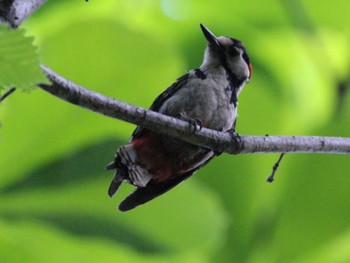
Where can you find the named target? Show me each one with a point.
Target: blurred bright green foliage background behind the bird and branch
(53, 184)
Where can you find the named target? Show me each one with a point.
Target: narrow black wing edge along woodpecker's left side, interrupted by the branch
(139, 131)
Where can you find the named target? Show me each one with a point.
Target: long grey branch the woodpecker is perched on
(218, 141)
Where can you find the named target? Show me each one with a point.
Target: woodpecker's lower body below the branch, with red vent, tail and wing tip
(155, 164)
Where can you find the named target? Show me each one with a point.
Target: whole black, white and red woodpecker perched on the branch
(155, 163)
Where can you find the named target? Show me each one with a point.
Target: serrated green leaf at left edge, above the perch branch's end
(19, 63)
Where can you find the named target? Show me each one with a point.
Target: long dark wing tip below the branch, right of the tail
(153, 189)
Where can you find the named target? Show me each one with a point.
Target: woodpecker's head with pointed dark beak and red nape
(227, 52)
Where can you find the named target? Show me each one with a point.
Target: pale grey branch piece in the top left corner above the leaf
(16, 11)
